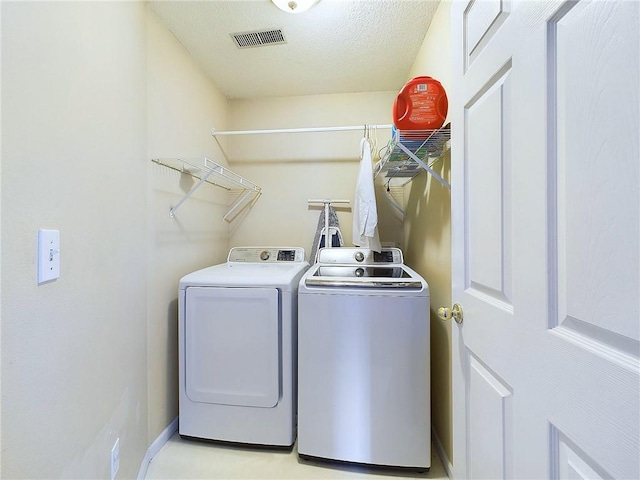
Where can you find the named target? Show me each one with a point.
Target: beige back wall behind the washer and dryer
(292, 168)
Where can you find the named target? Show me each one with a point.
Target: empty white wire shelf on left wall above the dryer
(206, 170)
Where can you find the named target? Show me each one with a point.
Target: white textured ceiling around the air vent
(338, 46)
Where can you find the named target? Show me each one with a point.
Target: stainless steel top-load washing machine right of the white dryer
(363, 360)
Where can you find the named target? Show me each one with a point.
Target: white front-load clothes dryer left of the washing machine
(237, 328)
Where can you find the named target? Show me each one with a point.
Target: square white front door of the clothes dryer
(232, 346)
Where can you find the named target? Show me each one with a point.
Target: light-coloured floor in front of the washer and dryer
(185, 459)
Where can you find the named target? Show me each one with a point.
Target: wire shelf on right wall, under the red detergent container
(411, 151)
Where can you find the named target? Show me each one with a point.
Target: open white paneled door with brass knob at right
(546, 221)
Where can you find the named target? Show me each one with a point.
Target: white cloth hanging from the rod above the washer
(365, 212)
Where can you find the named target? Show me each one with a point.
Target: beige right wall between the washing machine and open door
(428, 232)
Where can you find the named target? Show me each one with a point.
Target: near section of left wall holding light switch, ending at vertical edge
(74, 351)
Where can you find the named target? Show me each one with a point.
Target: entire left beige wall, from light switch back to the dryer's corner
(91, 92)
